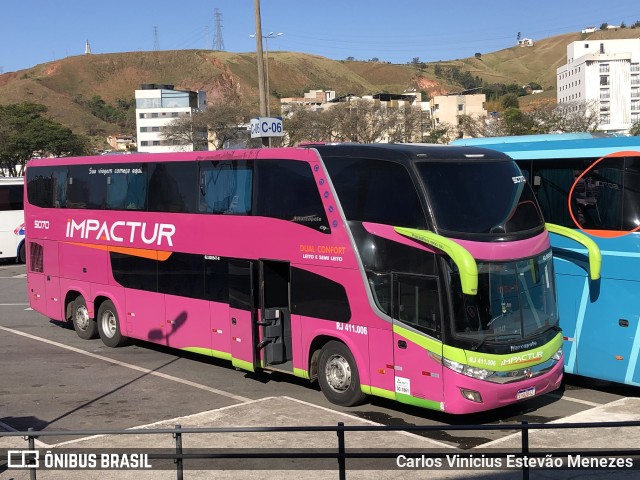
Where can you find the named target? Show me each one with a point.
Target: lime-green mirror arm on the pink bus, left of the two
(463, 259)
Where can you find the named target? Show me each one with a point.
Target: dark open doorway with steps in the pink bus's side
(274, 347)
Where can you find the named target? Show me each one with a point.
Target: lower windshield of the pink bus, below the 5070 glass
(515, 301)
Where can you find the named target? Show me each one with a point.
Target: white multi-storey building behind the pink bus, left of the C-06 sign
(156, 106)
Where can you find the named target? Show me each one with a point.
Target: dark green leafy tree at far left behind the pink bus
(25, 133)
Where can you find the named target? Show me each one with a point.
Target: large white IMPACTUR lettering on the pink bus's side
(120, 231)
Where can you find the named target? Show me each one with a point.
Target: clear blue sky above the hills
(33, 32)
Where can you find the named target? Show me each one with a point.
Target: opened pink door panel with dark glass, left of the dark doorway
(242, 314)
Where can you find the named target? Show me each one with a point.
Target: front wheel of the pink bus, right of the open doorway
(338, 375)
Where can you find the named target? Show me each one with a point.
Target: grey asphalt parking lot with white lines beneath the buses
(53, 380)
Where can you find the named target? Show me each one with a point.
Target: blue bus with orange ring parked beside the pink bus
(600, 319)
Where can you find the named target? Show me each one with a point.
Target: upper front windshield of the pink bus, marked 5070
(480, 197)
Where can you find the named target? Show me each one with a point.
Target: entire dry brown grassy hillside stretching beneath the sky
(63, 84)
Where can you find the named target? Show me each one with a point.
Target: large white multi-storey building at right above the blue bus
(607, 74)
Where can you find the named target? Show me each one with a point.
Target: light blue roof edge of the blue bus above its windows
(553, 146)
